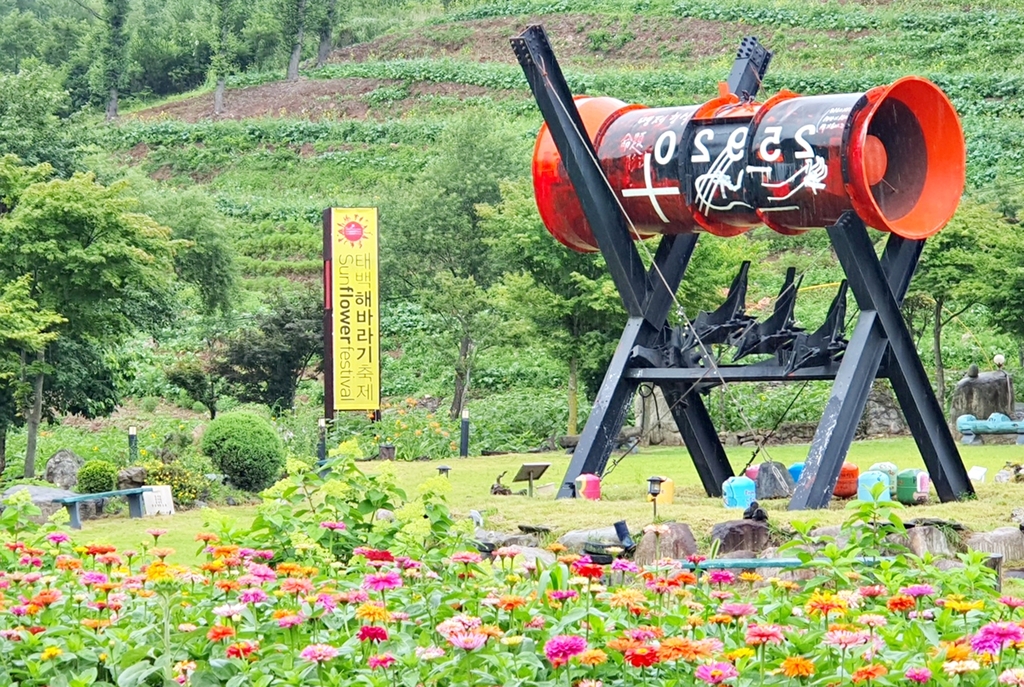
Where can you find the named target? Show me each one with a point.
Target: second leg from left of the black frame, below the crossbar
(700, 436)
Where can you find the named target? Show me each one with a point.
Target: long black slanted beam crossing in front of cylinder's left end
(580, 159)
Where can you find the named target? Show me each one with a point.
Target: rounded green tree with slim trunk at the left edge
(92, 260)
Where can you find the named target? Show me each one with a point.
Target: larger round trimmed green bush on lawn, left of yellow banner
(246, 449)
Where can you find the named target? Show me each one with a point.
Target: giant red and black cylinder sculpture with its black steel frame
(892, 159)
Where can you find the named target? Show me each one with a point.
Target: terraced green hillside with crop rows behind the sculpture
(362, 130)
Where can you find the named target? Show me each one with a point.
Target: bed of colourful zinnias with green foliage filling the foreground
(326, 597)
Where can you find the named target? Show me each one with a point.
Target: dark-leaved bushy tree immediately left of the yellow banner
(265, 363)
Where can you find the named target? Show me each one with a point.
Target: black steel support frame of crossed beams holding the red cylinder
(880, 347)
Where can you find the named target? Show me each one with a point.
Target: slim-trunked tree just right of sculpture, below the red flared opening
(955, 272)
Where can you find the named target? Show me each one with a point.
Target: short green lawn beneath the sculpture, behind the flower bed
(624, 492)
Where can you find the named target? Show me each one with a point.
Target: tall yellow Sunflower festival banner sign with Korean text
(352, 305)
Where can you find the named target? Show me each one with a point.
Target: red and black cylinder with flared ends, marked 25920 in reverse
(895, 155)
